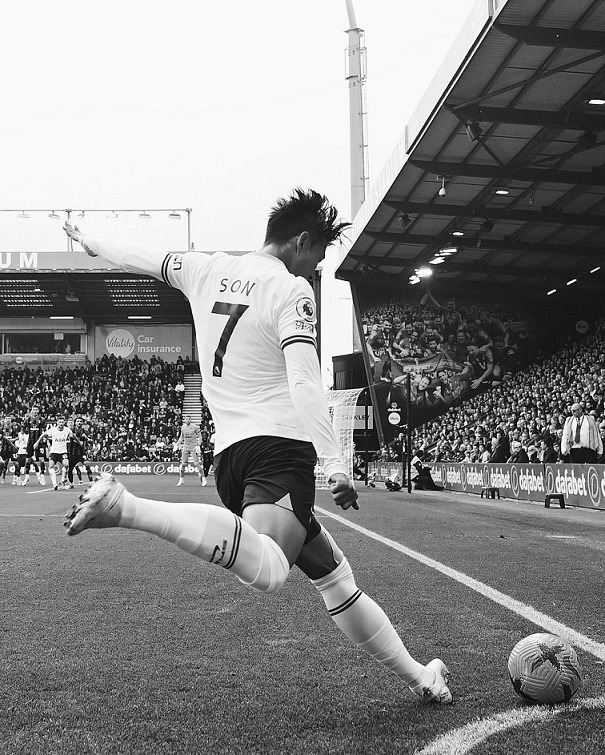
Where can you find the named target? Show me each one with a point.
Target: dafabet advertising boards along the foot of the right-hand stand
(581, 484)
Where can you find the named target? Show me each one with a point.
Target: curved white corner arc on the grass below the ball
(466, 738)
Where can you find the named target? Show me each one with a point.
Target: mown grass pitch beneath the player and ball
(115, 642)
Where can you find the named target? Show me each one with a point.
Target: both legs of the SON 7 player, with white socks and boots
(260, 549)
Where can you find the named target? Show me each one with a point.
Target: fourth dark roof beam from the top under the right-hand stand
(545, 215)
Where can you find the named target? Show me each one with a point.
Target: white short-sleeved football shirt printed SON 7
(246, 309)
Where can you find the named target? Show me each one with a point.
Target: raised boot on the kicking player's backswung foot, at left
(100, 506)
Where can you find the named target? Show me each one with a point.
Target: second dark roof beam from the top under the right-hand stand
(544, 118)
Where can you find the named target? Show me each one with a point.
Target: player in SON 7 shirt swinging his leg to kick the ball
(255, 322)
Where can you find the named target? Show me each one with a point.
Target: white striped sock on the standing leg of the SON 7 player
(366, 624)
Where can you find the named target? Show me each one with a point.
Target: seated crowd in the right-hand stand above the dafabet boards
(524, 414)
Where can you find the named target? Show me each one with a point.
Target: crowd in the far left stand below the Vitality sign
(131, 409)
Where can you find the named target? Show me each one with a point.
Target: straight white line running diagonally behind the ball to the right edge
(527, 612)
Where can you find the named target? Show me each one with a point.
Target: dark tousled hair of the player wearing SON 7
(304, 211)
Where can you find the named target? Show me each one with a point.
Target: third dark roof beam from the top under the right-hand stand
(529, 175)
